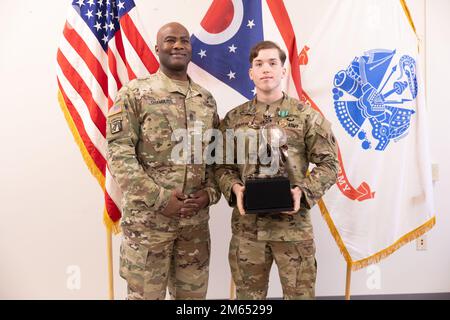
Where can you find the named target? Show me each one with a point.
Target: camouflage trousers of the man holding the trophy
(251, 261)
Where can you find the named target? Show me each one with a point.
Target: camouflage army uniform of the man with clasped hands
(157, 250)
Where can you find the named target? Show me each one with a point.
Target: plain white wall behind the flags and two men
(51, 207)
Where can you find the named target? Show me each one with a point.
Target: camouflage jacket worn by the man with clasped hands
(139, 134)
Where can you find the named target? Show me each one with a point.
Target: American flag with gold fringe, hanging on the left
(102, 48)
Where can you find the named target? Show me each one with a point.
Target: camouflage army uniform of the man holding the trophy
(258, 239)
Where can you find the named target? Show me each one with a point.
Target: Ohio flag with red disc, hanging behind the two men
(221, 46)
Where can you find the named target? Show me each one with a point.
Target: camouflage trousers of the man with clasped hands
(176, 260)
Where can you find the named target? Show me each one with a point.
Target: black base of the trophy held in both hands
(268, 195)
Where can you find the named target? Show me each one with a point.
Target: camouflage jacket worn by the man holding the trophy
(309, 140)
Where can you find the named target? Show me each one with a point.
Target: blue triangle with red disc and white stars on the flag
(241, 29)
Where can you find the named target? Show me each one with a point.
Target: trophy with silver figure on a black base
(268, 190)
